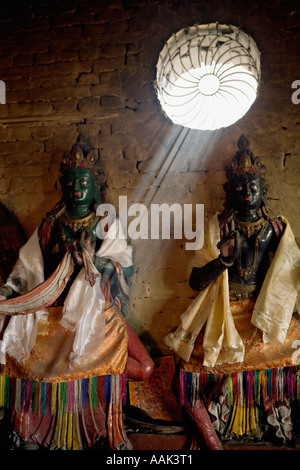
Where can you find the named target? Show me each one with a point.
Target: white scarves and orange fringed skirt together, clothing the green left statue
(63, 368)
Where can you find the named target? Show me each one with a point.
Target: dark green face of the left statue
(78, 187)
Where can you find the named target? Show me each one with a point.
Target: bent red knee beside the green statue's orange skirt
(139, 365)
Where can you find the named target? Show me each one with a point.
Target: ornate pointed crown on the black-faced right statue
(244, 161)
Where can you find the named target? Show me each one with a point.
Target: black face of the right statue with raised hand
(247, 191)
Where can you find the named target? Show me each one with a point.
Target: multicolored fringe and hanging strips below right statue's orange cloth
(248, 398)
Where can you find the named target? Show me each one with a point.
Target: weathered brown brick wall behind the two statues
(88, 67)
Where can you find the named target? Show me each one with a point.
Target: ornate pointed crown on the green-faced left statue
(83, 155)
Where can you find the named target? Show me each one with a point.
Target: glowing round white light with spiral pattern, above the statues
(208, 76)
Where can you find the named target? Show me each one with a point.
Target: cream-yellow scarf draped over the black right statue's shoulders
(273, 309)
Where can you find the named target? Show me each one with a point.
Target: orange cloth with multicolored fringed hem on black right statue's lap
(244, 398)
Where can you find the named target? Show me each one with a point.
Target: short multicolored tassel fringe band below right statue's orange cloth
(243, 387)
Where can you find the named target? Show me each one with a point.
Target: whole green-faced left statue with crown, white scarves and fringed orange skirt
(67, 342)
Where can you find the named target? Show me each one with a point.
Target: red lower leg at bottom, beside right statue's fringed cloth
(204, 427)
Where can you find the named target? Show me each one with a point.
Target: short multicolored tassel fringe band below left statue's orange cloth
(59, 397)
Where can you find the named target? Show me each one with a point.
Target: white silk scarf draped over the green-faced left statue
(83, 309)
